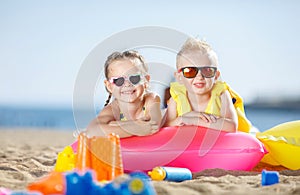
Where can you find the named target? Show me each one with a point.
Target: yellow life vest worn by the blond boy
(178, 93)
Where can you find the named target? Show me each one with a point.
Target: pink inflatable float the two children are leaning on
(192, 147)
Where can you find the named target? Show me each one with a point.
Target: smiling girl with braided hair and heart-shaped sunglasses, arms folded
(134, 110)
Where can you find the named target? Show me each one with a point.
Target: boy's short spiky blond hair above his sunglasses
(194, 44)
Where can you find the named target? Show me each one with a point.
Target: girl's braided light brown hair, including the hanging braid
(131, 55)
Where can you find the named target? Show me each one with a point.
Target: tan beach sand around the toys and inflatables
(28, 154)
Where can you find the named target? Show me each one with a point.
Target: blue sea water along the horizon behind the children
(263, 118)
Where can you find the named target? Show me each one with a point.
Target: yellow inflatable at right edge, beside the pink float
(283, 144)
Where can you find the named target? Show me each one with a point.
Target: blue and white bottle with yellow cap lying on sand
(170, 174)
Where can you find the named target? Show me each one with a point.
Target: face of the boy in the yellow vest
(200, 84)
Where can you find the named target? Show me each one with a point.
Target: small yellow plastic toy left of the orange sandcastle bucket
(66, 160)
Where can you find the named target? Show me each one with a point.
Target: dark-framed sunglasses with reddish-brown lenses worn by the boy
(191, 72)
